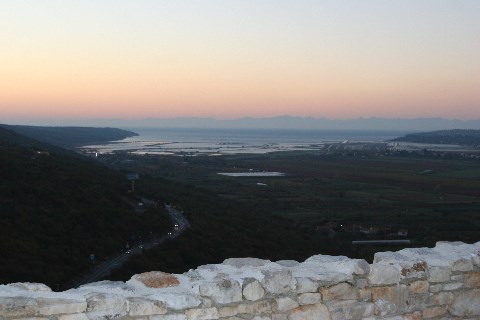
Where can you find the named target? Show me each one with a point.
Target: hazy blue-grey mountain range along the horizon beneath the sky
(280, 122)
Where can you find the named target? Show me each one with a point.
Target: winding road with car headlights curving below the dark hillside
(102, 270)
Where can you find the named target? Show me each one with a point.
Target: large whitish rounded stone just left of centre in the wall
(222, 291)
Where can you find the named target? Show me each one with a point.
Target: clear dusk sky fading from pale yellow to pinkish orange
(337, 59)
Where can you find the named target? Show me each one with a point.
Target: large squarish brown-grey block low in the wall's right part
(390, 300)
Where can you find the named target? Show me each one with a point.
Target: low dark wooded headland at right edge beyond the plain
(457, 136)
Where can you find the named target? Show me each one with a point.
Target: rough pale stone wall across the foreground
(421, 283)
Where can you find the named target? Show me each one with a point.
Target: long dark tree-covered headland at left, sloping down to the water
(68, 137)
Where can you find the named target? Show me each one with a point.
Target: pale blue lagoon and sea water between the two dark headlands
(174, 141)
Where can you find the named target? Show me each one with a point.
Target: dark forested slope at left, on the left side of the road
(56, 210)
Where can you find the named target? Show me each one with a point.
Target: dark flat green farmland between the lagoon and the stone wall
(432, 199)
